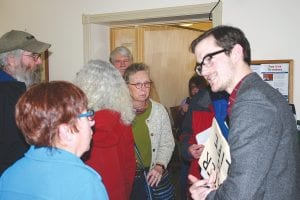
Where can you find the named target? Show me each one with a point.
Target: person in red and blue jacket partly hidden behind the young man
(204, 106)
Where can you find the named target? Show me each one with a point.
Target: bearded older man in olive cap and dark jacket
(20, 58)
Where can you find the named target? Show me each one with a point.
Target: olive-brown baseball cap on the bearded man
(14, 40)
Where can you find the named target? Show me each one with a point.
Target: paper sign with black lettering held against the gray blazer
(216, 155)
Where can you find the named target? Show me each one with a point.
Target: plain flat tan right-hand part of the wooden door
(166, 51)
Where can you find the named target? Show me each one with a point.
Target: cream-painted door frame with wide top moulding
(97, 25)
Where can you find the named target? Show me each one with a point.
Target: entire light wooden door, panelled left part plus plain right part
(166, 50)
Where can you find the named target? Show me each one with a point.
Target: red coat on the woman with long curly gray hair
(112, 154)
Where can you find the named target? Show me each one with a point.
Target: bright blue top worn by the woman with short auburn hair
(46, 174)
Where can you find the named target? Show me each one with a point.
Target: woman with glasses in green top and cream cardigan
(151, 128)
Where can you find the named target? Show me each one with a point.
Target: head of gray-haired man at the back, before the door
(121, 58)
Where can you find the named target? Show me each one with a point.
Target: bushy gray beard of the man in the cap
(27, 76)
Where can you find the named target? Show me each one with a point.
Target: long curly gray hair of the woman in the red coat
(105, 89)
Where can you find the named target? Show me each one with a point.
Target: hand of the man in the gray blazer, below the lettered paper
(201, 188)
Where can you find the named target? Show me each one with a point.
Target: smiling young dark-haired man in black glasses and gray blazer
(262, 129)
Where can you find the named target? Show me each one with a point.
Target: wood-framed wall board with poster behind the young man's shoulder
(278, 73)
